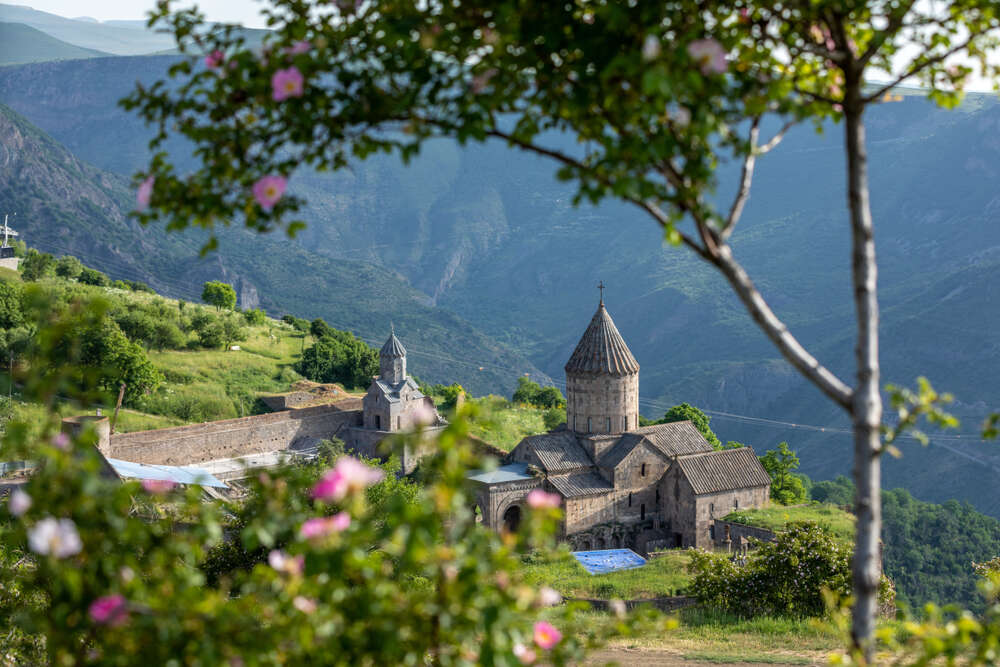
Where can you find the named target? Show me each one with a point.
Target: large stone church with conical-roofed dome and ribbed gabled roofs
(622, 485)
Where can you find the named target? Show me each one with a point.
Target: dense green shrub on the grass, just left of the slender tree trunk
(784, 577)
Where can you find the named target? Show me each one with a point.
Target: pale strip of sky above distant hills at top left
(242, 11)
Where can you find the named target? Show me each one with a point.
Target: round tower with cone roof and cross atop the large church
(602, 380)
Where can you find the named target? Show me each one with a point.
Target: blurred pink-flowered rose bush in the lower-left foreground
(342, 564)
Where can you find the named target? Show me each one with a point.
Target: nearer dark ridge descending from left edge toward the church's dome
(67, 206)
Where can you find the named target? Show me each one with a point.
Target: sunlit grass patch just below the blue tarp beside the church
(660, 577)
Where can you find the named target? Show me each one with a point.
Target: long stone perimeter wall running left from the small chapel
(231, 438)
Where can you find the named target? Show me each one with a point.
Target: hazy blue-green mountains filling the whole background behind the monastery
(486, 238)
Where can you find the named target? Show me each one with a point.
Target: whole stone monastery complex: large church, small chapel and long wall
(622, 485)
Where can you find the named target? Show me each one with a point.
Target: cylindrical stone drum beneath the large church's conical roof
(601, 403)
